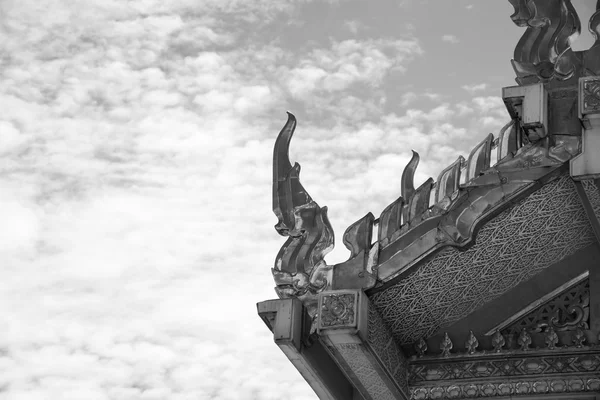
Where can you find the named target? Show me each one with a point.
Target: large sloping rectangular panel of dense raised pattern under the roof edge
(518, 243)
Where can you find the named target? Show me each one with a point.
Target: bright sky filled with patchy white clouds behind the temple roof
(135, 171)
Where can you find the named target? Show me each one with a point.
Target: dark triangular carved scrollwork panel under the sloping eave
(568, 311)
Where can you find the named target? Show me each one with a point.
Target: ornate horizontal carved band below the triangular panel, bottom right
(566, 370)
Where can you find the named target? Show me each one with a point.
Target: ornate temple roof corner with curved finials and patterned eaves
(482, 283)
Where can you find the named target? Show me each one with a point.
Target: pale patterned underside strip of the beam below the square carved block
(364, 371)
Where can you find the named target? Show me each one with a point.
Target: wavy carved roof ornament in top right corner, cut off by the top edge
(544, 51)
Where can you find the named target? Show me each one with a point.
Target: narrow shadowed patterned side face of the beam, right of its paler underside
(387, 350)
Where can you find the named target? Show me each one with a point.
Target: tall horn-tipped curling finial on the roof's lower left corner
(300, 270)
